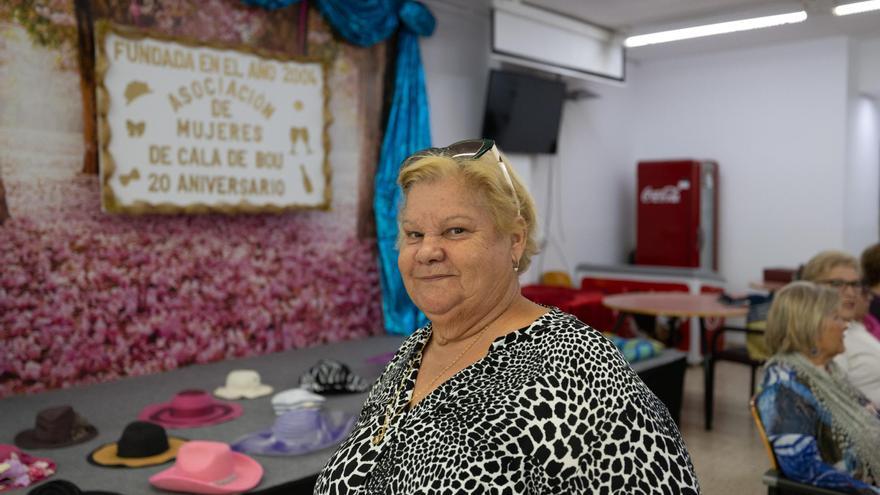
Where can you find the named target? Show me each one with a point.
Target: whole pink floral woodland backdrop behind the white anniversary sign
(87, 297)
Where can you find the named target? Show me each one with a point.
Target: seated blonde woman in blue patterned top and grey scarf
(823, 431)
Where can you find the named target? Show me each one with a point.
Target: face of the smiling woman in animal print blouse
(452, 259)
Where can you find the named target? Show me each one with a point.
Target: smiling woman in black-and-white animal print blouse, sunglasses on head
(497, 394)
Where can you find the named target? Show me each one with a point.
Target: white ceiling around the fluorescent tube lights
(639, 16)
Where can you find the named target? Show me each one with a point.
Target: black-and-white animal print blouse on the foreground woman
(552, 408)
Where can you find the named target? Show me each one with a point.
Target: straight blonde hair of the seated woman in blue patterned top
(796, 317)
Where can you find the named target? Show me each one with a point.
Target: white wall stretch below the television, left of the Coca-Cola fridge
(594, 184)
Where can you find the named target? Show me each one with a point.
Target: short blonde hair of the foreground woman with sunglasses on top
(484, 176)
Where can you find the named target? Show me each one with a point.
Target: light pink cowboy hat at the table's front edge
(209, 468)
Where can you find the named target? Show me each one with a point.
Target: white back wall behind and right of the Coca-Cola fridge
(775, 118)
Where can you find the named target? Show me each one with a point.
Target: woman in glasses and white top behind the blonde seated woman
(860, 358)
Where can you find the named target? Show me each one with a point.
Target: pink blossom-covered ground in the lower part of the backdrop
(88, 297)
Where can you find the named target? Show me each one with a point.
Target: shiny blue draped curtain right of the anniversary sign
(365, 23)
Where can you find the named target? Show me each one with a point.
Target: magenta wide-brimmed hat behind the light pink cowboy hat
(190, 409)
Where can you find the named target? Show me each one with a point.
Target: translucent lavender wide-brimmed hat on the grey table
(297, 432)
